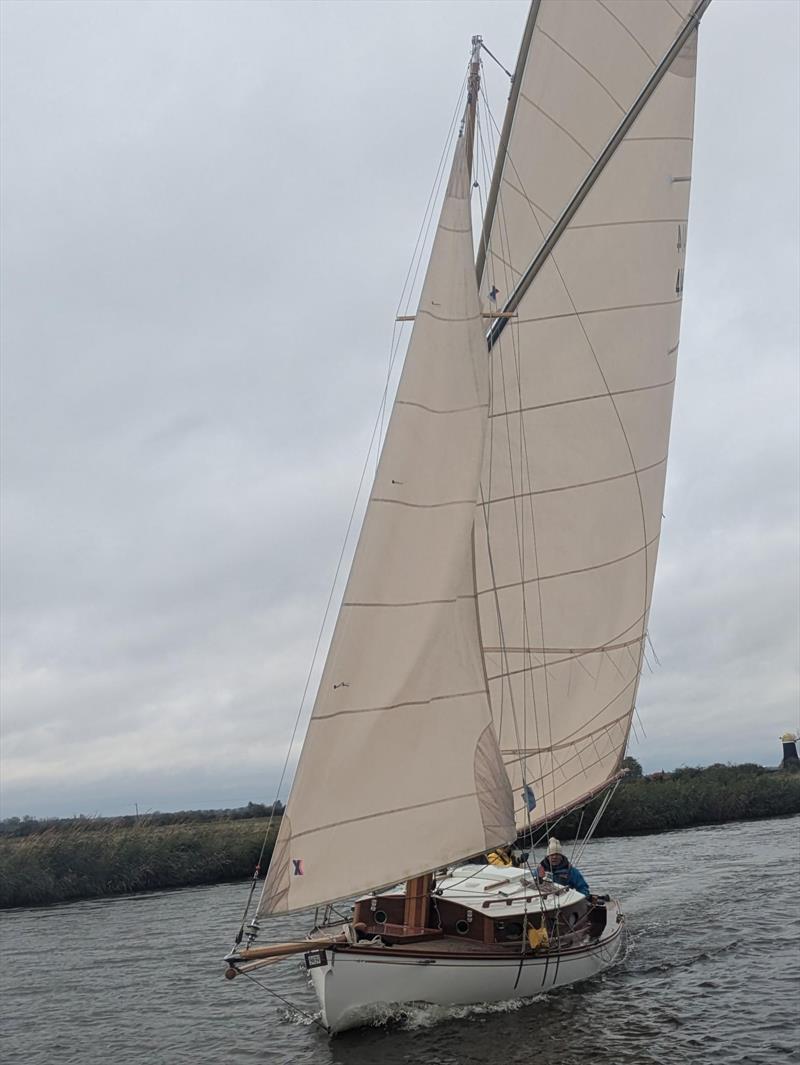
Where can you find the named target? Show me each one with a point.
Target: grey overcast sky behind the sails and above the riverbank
(208, 215)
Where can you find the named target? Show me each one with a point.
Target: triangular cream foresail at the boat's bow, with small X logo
(401, 772)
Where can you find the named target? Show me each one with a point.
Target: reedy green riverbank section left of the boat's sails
(89, 860)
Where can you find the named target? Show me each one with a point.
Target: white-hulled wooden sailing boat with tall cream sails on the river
(484, 668)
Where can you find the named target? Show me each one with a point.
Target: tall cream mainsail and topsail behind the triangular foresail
(568, 527)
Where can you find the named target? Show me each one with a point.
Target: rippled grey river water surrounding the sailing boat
(712, 974)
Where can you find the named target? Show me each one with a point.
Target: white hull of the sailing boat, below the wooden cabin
(356, 988)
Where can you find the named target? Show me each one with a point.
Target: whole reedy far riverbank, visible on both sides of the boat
(58, 861)
